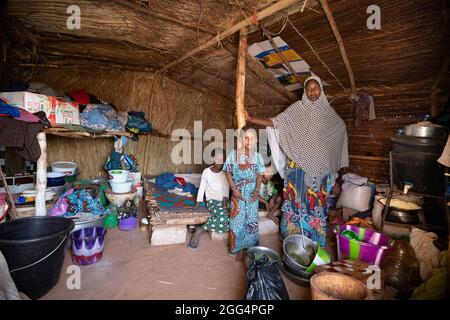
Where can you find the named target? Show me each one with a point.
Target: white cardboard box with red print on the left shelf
(57, 112)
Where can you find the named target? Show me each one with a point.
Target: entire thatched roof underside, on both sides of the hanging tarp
(147, 35)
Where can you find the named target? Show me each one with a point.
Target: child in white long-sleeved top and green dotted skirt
(215, 185)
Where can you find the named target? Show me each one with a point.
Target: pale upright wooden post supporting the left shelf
(41, 177)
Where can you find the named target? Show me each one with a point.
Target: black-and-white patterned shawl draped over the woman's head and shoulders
(313, 135)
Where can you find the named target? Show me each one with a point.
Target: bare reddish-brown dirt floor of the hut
(132, 269)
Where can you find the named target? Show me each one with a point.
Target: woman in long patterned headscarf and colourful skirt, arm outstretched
(314, 139)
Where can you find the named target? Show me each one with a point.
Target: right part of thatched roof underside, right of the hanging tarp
(410, 47)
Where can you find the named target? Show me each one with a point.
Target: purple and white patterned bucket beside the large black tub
(87, 245)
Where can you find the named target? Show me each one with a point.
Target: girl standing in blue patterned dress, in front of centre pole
(244, 167)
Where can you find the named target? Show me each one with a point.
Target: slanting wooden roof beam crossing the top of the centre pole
(267, 12)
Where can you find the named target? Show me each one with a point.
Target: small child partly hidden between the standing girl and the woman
(268, 195)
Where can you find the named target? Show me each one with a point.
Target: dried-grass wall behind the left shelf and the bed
(168, 106)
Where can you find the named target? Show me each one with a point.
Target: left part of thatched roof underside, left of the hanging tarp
(133, 35)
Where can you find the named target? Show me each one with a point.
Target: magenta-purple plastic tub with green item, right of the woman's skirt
(371, 248)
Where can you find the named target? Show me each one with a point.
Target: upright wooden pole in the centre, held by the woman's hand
(240, 79)
